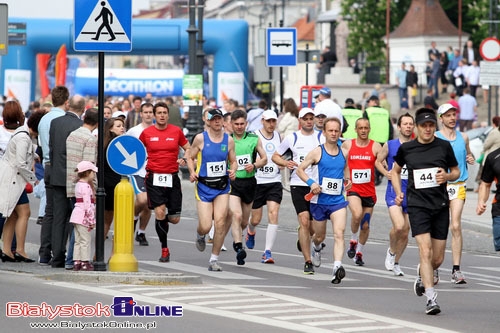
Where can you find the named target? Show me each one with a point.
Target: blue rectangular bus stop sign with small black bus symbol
(281, 47)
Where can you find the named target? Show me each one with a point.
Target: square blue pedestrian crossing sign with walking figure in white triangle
(103, 25)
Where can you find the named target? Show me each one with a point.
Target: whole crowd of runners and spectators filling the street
(331, 157)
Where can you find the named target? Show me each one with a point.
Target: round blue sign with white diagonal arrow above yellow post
(126, 154)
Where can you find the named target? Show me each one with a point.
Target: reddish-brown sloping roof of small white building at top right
(425, 18)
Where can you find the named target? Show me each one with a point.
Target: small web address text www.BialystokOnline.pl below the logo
(90, 325)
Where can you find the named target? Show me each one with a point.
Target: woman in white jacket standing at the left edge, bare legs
(17, 166)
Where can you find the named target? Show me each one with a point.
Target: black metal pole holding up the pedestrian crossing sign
(100, 264)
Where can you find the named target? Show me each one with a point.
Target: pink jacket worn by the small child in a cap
(84, 211)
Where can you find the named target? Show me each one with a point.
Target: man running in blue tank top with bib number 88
(329, 202)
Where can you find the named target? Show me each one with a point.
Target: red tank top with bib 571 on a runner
(361, 163)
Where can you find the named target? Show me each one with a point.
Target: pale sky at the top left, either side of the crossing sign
(60, 9)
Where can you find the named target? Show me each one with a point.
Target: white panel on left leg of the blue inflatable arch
(17, 85)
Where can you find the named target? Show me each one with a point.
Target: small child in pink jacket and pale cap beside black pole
(83, 215)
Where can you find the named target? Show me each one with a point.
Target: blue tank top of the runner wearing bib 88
(330, 178)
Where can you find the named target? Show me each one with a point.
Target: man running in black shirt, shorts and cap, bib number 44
(427, 160)
